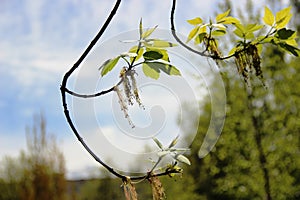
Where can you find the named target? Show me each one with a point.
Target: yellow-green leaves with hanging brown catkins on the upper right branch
(248, 45)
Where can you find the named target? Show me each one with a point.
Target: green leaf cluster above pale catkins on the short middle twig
(151, 51)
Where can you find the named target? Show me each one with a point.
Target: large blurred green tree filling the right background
(257, 155)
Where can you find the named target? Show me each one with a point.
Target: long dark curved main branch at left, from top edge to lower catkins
(63, 90)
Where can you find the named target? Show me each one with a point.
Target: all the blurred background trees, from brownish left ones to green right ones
(256, 157)
